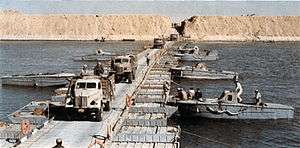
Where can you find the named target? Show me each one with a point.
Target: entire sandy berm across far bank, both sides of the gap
(19, 26)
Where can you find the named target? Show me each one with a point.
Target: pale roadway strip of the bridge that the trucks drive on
(79, 133)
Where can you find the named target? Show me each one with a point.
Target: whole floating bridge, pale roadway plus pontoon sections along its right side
(143, 124)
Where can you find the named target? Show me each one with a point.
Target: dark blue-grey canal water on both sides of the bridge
(273, 68)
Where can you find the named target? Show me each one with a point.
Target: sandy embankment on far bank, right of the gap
(242, 28)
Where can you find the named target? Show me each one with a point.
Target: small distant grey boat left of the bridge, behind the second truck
(98, 56)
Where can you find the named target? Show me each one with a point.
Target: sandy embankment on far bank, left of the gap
(17, 26)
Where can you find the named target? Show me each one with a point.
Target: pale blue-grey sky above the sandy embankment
(177, 10)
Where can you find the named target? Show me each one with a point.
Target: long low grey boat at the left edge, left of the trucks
(38, 80)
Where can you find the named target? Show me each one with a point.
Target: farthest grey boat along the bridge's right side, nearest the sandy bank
(195, 54)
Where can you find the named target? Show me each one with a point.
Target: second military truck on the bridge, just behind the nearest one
(124, 67)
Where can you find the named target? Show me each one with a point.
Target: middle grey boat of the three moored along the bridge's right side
(200, 73)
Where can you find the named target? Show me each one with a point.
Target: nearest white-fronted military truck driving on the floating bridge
(88, 96)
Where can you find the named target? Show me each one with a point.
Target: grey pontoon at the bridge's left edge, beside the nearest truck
(36, 112)
